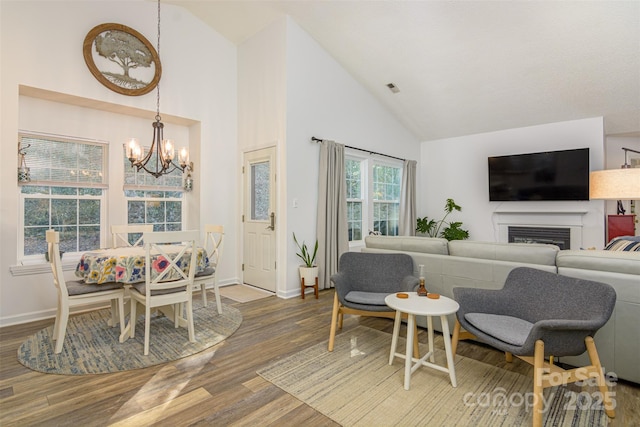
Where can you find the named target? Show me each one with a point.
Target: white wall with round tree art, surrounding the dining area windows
(41, 47)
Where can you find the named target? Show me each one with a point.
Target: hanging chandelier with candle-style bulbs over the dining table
(159, 160)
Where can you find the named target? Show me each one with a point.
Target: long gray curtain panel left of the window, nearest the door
(331, 227)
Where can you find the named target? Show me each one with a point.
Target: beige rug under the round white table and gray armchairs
(355, 386)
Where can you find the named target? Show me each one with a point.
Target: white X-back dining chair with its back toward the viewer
(170, 286)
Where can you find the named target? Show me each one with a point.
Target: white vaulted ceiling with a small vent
(469, 67)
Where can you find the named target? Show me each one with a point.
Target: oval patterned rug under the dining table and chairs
(92, 347)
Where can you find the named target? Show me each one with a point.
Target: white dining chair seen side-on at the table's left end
(77, 293)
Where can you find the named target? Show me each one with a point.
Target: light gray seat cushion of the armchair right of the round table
(509, 329)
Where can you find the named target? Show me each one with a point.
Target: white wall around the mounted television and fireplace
(457, 168)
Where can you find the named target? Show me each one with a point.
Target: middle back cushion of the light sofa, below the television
(526, 253)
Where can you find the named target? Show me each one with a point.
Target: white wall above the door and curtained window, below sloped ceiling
(289, 90)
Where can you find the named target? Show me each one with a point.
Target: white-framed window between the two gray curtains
(373, 196)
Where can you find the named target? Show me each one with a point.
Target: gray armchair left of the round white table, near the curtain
(364, 280)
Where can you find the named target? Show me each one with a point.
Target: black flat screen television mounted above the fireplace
(550, 175)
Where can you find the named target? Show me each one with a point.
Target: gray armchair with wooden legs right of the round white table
(539, 315)
